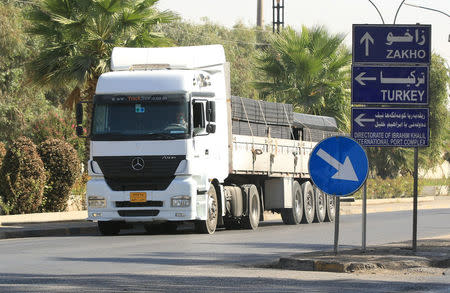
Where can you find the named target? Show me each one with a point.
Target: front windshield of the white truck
(140, 117)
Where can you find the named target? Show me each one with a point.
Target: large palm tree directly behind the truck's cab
(78, 36)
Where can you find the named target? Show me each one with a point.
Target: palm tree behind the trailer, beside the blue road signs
(309, 70)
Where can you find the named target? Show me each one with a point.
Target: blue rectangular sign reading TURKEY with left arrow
(407, 85)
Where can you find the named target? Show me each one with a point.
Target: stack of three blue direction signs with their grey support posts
(391, 67)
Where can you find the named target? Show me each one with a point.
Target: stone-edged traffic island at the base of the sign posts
(433, 252)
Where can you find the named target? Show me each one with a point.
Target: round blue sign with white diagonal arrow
(338, 165)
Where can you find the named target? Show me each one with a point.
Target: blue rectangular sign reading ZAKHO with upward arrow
(392, 43)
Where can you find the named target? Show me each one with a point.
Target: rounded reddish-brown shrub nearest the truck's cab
(63, 167)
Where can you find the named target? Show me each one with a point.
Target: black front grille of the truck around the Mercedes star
(157, 172)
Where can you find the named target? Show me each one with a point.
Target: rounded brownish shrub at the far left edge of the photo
(22, 178)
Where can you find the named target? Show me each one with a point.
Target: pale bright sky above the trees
(335, 15)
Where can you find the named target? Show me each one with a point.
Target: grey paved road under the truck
(224, 261)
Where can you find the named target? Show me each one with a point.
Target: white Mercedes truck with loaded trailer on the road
(164, 148)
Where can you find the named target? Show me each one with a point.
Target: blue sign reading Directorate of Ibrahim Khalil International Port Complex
(401, 127)
